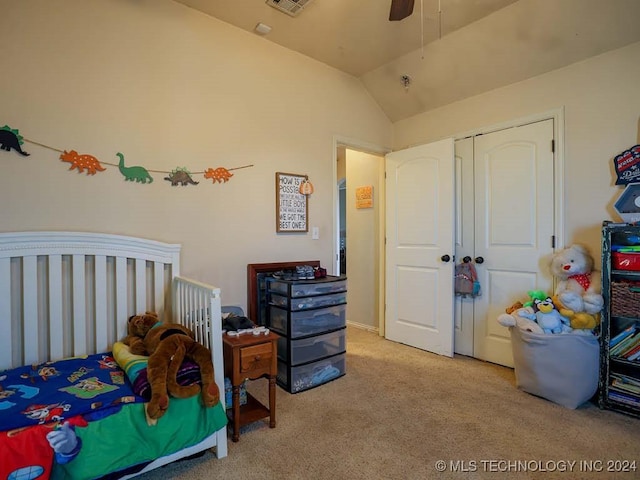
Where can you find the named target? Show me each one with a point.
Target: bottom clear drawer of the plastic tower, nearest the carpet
(304, 377)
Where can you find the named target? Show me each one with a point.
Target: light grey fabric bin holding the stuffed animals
(562, 368)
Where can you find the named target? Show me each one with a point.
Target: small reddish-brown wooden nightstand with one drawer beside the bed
(251, 356)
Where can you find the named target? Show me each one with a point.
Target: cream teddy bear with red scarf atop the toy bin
(578, 294)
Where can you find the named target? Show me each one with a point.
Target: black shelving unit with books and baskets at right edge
(619, 371)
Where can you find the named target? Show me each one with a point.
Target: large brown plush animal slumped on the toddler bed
(167, 344)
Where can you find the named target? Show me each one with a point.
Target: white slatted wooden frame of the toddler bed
(65, 294)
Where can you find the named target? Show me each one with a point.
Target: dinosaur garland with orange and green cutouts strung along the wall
(11, 139)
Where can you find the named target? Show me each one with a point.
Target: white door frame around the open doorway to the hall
(361, 146)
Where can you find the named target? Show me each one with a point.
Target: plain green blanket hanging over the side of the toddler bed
(122, 440)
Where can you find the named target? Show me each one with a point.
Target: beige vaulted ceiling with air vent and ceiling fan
(450, 49)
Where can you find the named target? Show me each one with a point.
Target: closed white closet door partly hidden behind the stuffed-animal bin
(514, 224)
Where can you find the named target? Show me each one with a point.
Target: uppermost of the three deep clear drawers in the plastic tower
(307, 322)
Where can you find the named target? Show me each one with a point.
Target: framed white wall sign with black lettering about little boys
(292, 209)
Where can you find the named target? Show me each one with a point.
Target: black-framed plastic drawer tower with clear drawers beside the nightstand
(309, 316)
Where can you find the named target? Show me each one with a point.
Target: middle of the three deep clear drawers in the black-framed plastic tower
(308, 349)
